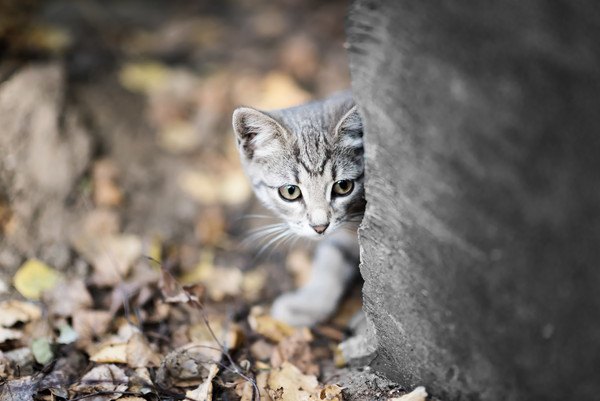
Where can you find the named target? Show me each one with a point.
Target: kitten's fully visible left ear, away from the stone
(253, 129)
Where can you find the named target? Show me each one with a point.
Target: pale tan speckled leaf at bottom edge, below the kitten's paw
(287, 383)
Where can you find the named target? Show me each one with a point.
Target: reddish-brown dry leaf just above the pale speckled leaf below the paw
(296, 350)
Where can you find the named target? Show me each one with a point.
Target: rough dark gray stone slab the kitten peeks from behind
(480, 242)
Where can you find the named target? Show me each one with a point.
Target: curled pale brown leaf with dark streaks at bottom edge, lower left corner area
(108, 379)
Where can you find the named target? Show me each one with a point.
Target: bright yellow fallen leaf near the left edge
(34, 277)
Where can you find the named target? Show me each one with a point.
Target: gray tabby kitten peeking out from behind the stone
(306, 164)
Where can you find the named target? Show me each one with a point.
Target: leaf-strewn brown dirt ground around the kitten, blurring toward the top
(131, 261)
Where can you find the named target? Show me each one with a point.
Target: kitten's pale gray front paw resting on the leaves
(303, 308)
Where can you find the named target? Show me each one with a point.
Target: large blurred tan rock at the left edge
(44, 150)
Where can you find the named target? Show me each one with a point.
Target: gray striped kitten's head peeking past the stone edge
(306, 162)
